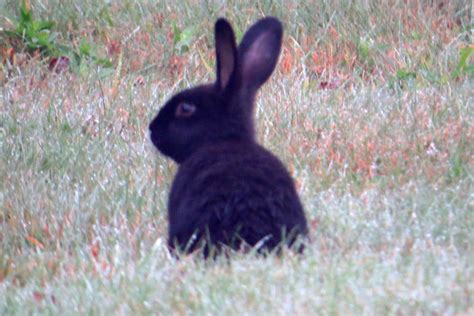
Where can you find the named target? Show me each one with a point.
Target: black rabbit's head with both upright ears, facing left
(222, 110)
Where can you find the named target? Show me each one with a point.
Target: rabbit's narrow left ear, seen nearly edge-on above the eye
(226, 52)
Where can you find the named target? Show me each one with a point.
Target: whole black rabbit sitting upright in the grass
(229, 192)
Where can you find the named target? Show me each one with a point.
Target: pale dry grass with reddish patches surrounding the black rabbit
(371, 108)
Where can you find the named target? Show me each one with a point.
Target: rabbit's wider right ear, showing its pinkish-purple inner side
(259, 51)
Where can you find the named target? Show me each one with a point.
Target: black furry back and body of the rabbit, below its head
(230, 193)
